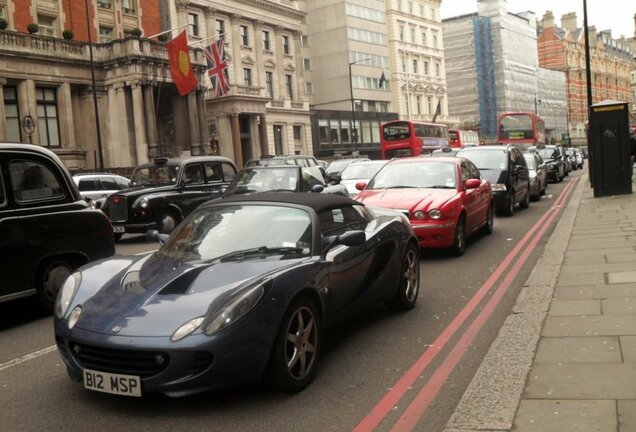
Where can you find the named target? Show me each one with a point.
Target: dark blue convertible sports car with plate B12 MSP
(242, 290)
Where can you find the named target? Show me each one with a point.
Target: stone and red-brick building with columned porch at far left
(47, 76)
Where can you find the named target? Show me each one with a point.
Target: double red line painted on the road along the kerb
(417, 408)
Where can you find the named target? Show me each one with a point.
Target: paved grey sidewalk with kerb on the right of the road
(565, 359)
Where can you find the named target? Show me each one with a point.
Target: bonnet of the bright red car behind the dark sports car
(402, 199)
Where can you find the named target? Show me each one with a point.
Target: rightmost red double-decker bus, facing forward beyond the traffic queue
(522, 128)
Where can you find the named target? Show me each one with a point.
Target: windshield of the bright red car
(416, 174)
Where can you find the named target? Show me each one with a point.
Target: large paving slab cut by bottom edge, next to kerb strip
(566, 415)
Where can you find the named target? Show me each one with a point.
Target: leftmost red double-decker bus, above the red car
(403, 138)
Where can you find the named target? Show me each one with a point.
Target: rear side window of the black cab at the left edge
(33, 181)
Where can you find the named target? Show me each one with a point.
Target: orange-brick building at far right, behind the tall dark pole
(612, 62)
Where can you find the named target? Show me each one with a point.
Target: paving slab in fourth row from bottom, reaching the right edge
(594, 325)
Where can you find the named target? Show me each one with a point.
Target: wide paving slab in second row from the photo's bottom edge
(581, 381)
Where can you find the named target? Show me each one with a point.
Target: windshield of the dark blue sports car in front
(240, 232)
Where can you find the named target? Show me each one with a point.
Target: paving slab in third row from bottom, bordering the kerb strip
(599, 349)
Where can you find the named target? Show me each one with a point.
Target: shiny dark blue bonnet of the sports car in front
(154, 296)
